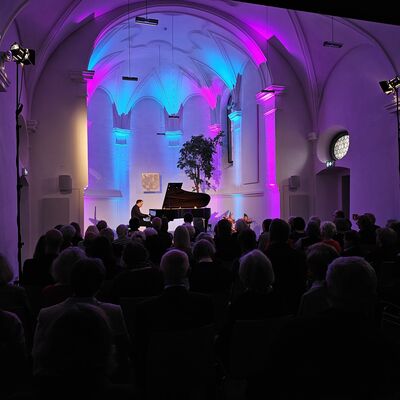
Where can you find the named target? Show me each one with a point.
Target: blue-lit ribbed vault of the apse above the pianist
(184, 55)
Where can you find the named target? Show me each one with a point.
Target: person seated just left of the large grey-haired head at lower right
(315, 300)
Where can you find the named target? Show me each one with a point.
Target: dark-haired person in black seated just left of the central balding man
(139, 279)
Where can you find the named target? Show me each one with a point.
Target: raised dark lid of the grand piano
(176, 197)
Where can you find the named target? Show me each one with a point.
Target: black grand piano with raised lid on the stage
(177, 202)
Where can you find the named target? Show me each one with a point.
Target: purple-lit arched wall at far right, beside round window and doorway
(354, 100)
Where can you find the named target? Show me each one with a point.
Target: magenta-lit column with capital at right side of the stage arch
(268, 99)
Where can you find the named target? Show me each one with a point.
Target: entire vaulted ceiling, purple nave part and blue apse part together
(199, 25)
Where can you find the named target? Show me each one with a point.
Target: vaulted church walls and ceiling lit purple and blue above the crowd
(108, 91)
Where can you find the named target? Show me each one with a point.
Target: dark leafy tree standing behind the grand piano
(196, 159)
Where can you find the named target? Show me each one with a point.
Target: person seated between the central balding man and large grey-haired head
(207, 275)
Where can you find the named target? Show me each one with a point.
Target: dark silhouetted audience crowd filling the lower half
(308, 310)
